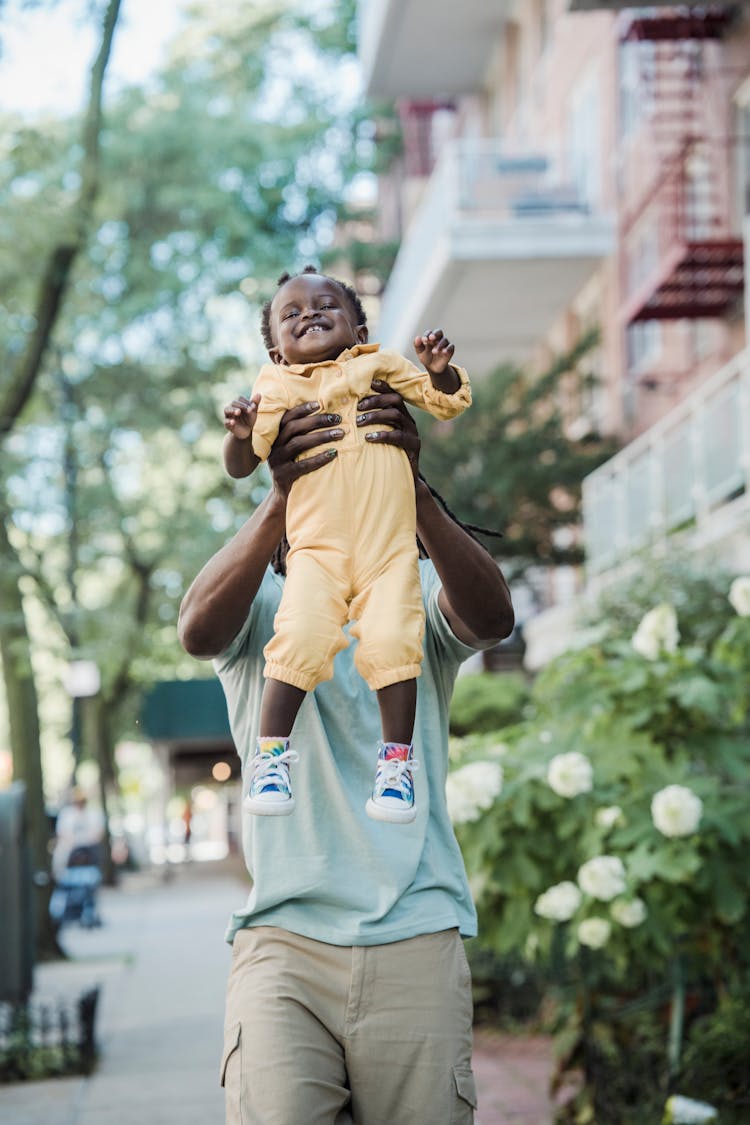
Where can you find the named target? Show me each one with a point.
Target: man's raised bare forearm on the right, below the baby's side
(475, 598)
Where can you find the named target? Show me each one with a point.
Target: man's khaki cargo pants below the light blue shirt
(320, 1034)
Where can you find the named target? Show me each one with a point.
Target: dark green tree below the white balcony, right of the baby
(509, 465)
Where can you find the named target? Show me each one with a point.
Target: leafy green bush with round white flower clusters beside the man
(672, 888)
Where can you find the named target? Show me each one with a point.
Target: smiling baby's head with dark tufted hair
(313, 320)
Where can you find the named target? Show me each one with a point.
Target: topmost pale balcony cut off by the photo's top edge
(409, 48)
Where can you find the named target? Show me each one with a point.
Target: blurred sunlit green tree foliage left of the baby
(227, 169)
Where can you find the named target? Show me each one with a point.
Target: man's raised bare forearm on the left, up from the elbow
(220, 599)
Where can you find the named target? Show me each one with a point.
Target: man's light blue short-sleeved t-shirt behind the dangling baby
(329, 872)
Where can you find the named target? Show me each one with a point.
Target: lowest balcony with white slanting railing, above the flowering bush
(690, 474)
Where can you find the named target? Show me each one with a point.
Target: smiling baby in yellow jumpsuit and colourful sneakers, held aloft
(351, 529)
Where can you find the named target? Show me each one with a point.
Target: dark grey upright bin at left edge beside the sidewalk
(16, 898)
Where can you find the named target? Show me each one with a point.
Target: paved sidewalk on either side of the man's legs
(162, 965)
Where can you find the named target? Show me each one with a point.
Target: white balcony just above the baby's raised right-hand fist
(502, 244)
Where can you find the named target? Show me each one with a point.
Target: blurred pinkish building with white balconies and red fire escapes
(566, 165)
